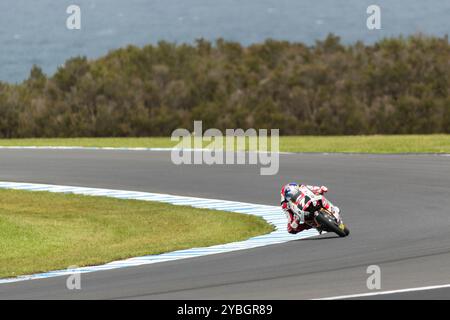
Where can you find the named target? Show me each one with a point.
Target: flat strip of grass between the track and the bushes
(365, 144)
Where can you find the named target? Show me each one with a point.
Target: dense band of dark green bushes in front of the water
(396, 86)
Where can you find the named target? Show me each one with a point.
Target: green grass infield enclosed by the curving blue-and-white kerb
(41, 231)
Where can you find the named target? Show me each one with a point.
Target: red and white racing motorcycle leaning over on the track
(321, 218)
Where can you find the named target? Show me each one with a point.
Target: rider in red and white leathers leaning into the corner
(295, 203)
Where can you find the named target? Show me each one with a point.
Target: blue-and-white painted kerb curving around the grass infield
(271, 214)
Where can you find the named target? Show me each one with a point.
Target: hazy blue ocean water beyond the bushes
(34, 32)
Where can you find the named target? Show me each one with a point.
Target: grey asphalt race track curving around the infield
(397, 208)
